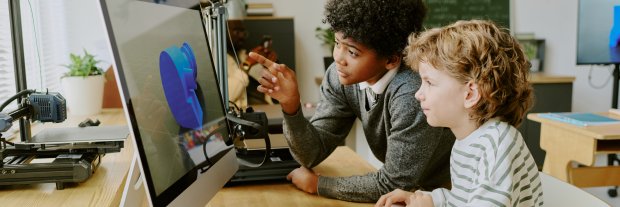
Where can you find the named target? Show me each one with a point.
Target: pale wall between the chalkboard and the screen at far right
(556, 22)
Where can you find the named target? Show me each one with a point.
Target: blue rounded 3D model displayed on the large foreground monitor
(177, 67)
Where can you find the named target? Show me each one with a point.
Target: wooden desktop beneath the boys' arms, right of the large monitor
(343, 162)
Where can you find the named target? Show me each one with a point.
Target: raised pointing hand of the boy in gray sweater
(279, 82)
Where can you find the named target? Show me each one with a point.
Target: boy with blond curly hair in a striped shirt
(475, 82)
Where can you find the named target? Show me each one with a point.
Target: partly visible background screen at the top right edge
(598, 32)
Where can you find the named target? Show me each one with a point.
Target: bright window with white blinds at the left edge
(44, 33)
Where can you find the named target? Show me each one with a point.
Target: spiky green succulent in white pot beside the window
(83, 85)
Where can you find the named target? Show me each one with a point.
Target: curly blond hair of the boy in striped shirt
(479, 51)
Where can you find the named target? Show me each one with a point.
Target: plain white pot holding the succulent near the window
(84, 95)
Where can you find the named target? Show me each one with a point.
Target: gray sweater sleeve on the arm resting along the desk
(416, 158)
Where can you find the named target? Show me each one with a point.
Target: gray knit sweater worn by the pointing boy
(415, 155)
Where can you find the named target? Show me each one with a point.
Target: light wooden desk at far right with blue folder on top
(566, 142)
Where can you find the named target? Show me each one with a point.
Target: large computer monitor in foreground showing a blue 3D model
(168, 86)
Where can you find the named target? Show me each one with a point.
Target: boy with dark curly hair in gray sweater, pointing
(368, 82)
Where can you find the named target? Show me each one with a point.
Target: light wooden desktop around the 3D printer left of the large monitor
(104, 188)
